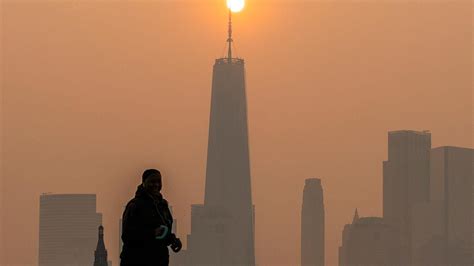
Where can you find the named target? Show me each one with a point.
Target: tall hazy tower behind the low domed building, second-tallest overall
(405, 182)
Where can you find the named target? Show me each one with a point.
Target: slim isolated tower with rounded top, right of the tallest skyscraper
(312, 224)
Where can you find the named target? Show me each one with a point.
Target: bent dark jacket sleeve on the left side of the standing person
(133, 231)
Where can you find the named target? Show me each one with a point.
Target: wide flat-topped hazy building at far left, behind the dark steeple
(68, 229)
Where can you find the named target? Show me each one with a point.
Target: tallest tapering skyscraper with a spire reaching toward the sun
(222, 229)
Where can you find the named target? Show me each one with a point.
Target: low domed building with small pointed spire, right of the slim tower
(368, 241)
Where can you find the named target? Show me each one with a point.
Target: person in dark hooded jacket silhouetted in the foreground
(147, 224)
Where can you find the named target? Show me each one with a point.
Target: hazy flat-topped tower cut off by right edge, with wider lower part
(443, 228)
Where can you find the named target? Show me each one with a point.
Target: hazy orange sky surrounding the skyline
(93, 92)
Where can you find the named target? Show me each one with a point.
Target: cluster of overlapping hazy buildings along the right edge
(428, 208)
